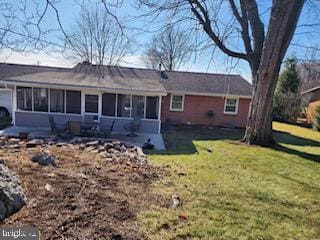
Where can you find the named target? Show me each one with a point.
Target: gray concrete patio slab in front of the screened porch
(139, 140)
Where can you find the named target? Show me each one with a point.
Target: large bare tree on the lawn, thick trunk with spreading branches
(223, 22)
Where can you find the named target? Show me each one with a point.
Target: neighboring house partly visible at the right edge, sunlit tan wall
(312, 97)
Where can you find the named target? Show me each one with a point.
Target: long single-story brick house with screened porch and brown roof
(120, 93)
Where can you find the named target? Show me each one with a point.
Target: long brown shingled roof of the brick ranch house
(127, 79)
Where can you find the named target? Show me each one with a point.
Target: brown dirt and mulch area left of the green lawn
(85, 197)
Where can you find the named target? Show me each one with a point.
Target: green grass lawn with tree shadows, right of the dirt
(233, 191)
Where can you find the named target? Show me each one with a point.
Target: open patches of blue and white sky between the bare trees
(69, 11)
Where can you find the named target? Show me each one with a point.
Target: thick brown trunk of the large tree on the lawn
(282, 24)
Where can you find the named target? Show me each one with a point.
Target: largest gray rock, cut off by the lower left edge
(12, 198)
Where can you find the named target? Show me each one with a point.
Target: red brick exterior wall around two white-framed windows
(197, 107)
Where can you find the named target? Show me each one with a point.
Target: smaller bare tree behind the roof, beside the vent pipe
(171, 49)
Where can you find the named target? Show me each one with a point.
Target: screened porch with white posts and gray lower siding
(32, 106)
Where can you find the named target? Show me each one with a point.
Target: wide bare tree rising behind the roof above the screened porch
(97, 38)
